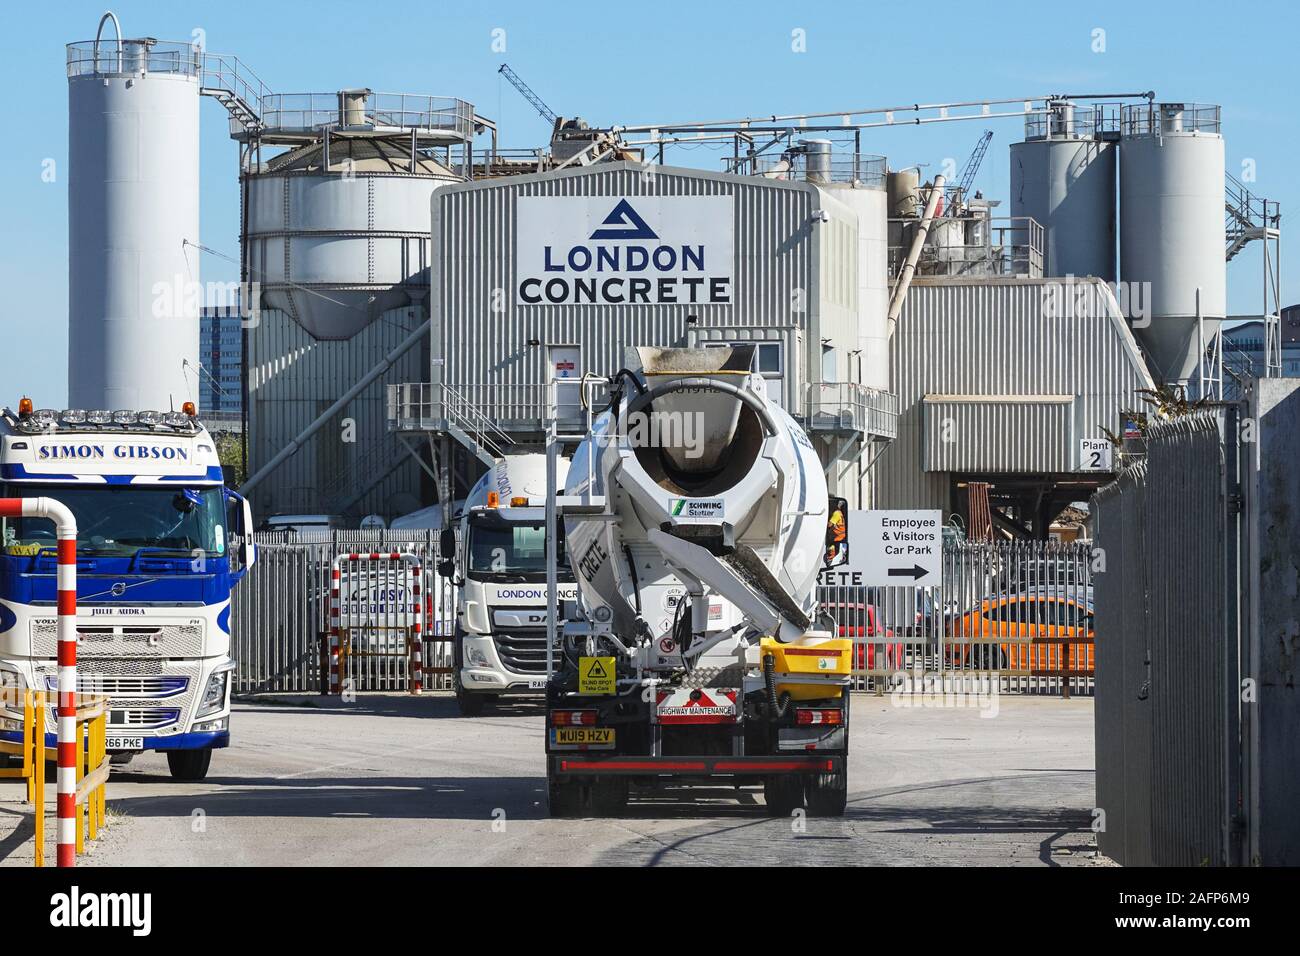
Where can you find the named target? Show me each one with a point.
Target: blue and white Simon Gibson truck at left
(161, 546)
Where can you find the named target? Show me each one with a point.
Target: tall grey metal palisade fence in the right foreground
(1168, 706)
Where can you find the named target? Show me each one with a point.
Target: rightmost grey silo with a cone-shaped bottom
(1172, 231)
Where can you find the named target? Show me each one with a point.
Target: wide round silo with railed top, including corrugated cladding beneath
(337, 237)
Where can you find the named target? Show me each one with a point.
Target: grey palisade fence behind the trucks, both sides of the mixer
(1015, 616)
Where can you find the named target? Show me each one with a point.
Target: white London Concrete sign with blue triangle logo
(625, 250)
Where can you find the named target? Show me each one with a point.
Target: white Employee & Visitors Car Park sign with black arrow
(891, 550)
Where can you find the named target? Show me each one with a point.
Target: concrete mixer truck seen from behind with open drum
(696, 516)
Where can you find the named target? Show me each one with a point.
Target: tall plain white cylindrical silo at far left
(133, 206)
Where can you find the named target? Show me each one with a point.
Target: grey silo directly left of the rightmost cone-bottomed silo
(1064, 178)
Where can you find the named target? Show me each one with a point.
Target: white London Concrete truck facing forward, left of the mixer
(500, 564)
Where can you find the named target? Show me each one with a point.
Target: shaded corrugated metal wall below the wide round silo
(353, 466)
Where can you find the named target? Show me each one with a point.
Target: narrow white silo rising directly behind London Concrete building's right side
(865, 193)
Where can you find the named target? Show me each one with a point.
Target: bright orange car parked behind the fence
(1043, 628)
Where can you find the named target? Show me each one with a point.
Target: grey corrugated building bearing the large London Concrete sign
(538, 272)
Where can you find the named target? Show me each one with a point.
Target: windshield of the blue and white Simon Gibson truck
(115, 521)
